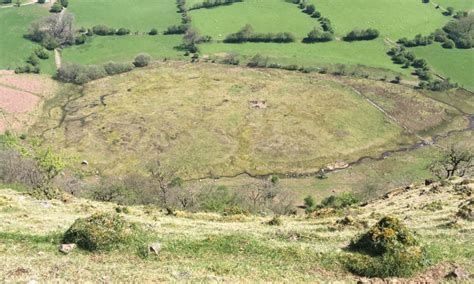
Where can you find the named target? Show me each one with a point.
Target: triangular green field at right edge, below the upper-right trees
(457, 64)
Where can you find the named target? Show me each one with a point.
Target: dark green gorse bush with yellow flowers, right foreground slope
(388, 249)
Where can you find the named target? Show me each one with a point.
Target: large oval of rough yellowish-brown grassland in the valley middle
(307, 122)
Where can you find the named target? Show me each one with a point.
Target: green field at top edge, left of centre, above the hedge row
(136, 15)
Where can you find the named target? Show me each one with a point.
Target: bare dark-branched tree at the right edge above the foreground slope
(455, 162)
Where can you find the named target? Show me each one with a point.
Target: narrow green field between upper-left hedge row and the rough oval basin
(102, 49)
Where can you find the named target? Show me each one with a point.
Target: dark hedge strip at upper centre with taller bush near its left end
(247, 34)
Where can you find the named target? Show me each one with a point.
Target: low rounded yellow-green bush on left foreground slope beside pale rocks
(101, 231)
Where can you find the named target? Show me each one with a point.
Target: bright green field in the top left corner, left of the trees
(14, 22)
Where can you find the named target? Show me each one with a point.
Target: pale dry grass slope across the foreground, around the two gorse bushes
(208, 247)
